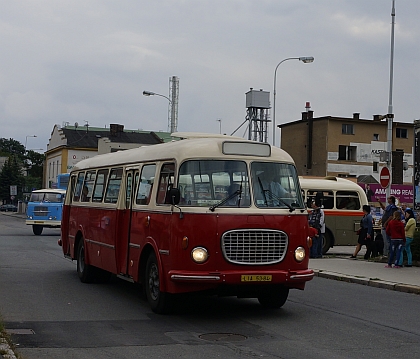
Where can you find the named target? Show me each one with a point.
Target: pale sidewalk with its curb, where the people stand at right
(337, 264)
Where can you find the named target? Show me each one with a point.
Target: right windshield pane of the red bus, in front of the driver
(275, 185)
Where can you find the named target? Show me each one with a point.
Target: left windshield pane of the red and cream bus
(209, 182)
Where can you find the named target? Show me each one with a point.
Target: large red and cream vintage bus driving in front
(187, 216)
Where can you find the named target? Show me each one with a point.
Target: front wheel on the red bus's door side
(159, 301)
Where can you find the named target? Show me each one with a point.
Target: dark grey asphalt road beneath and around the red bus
(53, 315)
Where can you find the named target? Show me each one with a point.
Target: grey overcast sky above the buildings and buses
(88, 61)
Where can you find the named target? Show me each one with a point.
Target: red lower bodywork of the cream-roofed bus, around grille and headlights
(115, 241)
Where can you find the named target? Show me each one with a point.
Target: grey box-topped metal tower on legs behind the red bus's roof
(257, 104)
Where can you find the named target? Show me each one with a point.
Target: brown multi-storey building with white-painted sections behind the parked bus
(348, 147)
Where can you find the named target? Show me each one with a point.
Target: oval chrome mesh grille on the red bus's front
(254, 246)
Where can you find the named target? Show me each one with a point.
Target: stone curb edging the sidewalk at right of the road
(377, 283)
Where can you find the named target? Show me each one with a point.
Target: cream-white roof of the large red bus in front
(196, 146)
